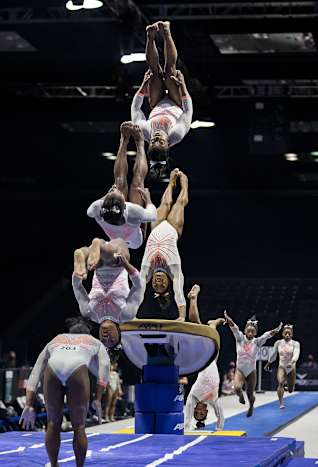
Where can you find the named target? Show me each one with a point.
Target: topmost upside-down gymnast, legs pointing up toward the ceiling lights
(170, 118)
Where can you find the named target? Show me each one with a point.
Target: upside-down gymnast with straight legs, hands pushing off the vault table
(161, 262)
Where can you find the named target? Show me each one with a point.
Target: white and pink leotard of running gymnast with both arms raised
(246, 350)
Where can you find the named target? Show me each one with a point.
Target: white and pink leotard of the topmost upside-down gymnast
(166, 116)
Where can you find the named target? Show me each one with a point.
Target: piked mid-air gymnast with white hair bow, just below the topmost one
(121, 211)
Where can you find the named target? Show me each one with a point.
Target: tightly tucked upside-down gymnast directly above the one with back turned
(110, 300)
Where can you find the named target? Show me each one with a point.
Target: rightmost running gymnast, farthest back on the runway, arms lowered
(288, 351)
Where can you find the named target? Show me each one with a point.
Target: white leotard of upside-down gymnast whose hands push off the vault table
(161, 254)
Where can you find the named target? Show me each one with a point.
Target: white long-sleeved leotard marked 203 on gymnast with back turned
(67, 352)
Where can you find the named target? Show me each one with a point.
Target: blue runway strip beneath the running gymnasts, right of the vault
(268, 418)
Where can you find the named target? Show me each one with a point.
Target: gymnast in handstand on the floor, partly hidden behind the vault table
(204, 393)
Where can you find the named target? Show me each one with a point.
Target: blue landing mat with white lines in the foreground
(18, 449)
